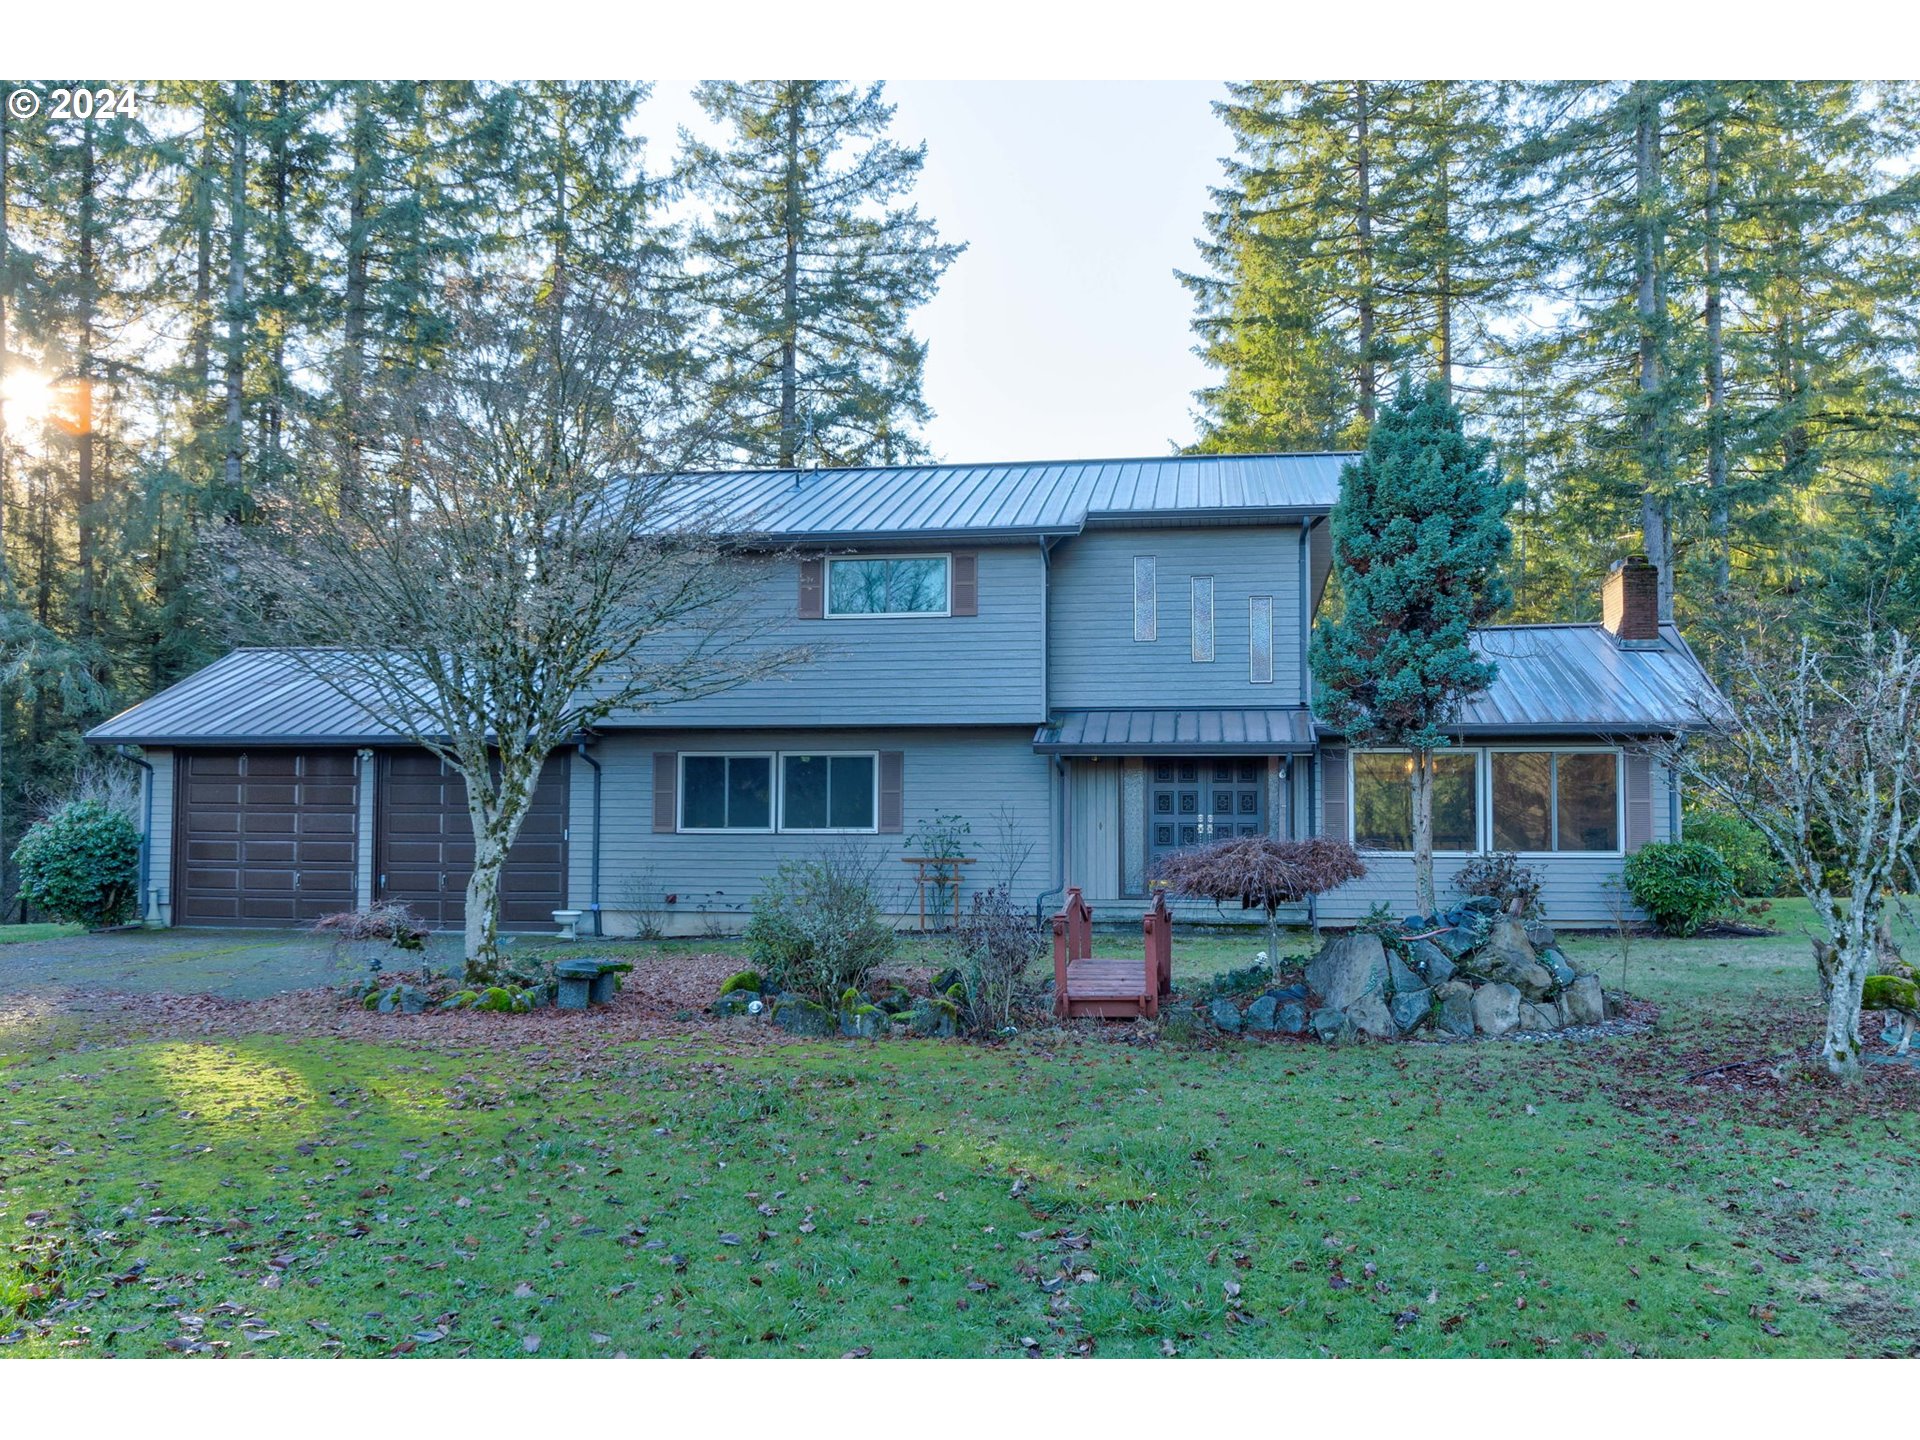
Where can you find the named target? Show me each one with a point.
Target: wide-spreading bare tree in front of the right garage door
(512, 567)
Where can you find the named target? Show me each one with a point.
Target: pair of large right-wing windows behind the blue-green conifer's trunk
(1531, 802)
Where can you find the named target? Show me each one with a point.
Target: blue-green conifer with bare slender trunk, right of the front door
(1418, 544)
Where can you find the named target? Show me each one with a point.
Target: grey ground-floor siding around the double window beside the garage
(969, 773)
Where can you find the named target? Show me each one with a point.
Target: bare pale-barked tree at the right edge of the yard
(1823, 757)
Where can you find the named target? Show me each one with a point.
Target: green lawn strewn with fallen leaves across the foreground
(1063, 1195)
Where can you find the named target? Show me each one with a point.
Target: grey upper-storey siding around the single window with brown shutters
(963, 669)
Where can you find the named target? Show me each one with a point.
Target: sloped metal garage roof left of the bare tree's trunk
(249, 698)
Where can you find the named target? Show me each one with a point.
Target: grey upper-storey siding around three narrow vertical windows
(1097, 663)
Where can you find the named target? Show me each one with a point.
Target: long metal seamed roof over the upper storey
(1034, 498)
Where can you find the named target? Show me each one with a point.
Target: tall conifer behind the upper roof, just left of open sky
(811, 266)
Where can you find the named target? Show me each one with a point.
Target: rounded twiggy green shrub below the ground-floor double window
(817, 928)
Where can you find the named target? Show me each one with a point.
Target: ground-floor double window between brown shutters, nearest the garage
(817, 792)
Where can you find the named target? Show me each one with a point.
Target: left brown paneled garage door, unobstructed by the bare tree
(266, 838)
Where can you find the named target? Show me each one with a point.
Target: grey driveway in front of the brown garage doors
(237, 965)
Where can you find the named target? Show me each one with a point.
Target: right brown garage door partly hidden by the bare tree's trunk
(427, 844)
